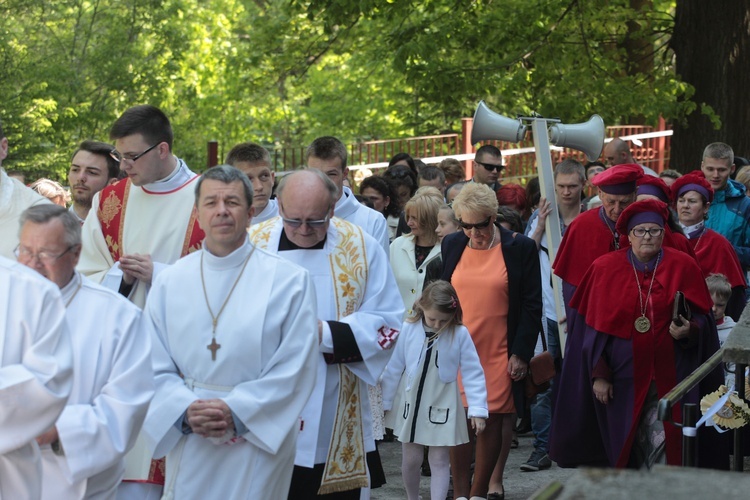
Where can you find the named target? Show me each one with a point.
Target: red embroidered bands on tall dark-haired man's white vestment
(113, 202)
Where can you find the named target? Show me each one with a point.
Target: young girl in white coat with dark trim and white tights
(421, 390)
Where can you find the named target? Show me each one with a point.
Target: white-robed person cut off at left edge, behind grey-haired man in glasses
(14, 199)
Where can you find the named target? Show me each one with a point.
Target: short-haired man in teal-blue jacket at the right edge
(729, 214)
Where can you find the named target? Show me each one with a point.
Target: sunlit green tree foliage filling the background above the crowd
(282, 72)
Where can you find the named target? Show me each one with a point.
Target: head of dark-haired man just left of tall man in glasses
(92, 168)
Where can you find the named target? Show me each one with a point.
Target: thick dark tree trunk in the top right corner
(711, 42)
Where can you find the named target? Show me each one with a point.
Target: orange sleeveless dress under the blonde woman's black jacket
(481, 281)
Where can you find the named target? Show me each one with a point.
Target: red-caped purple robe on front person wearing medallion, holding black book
(585, 431)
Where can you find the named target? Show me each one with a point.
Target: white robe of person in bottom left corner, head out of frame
(36, 374)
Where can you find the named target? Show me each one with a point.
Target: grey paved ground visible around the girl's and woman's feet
(518, 484)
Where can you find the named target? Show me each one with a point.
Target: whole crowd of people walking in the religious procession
(238, 334)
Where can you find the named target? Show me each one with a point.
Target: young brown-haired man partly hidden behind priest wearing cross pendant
(254, 161)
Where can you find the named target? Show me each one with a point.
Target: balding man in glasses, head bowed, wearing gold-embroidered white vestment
(359, 313)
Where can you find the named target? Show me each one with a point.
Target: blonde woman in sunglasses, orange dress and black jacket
(496, 274)
